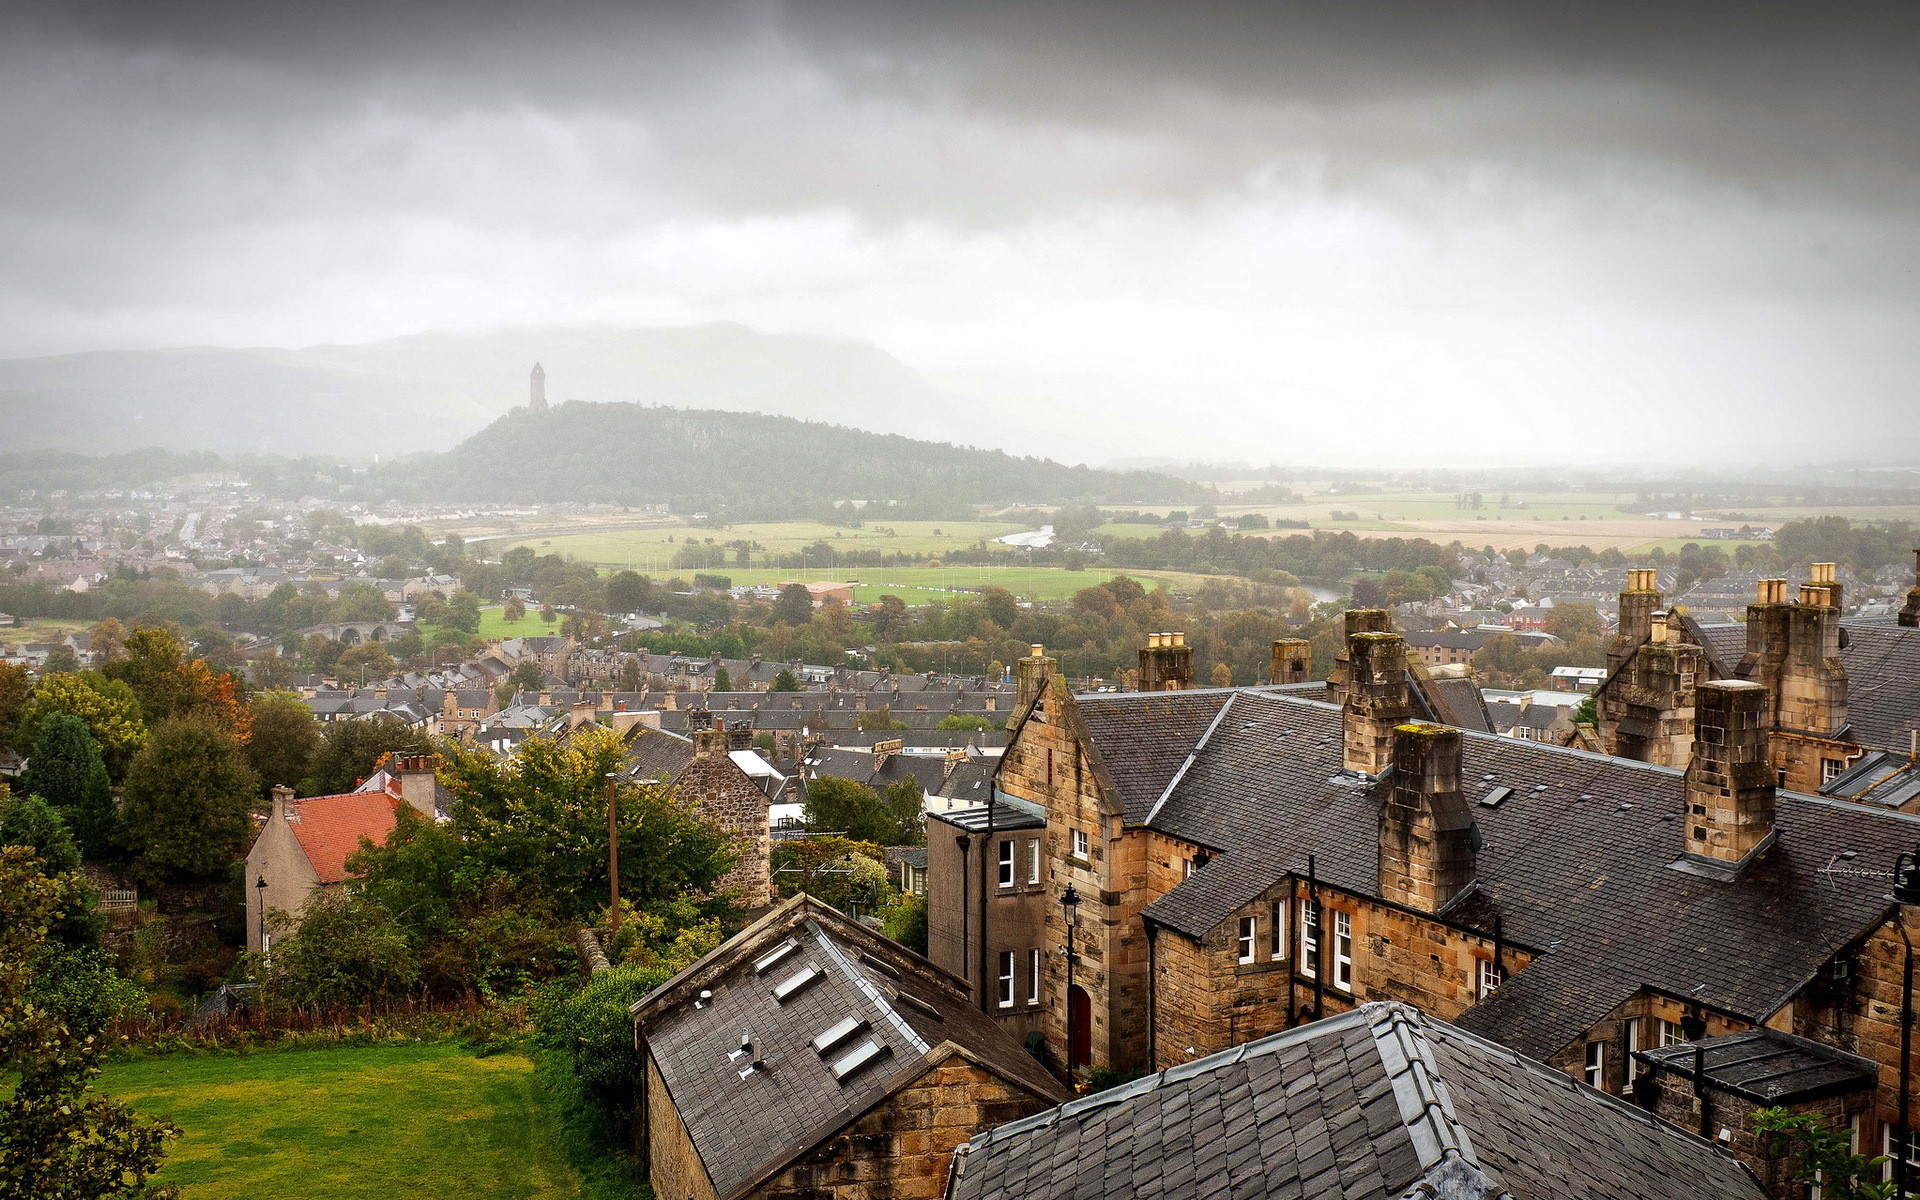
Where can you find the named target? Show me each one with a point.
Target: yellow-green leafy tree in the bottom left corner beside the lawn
(59, 1138)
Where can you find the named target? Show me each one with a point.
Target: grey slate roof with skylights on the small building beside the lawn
(750, 1128)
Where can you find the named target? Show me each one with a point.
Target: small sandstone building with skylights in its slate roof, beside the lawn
(809, 1057)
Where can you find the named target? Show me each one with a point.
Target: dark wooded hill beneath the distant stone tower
(704, 460)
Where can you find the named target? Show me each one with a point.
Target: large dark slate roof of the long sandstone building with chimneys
(1575, 863)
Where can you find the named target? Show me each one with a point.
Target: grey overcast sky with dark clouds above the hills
(1270, 231)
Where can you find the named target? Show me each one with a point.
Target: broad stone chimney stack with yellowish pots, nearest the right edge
(1794, 652)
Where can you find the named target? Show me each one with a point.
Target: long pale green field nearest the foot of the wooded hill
(652, 550)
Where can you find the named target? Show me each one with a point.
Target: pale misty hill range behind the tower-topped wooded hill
(431, 391)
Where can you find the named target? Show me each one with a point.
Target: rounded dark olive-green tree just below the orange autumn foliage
(189, 796)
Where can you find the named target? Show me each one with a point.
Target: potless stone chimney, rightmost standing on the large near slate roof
(1729, 782)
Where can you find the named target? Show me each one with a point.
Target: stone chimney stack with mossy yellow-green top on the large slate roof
(1426, 827)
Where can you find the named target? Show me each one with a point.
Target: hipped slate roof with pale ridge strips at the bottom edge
(1372, 1105)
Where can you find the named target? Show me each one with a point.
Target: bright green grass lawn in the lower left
(348, 1124)
